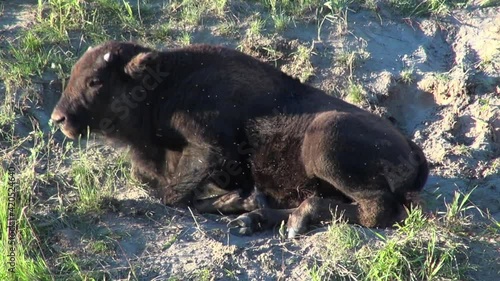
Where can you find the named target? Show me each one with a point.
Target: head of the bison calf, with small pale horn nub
(106, 83)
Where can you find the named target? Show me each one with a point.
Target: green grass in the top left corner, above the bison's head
(46, 45)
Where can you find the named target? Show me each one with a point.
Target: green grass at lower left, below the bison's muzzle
(93, 179)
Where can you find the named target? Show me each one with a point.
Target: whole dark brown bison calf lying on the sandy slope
(223, 131)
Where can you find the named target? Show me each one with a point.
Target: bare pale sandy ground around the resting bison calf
(455, 119)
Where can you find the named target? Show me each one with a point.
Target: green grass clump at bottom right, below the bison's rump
(419, 249)
